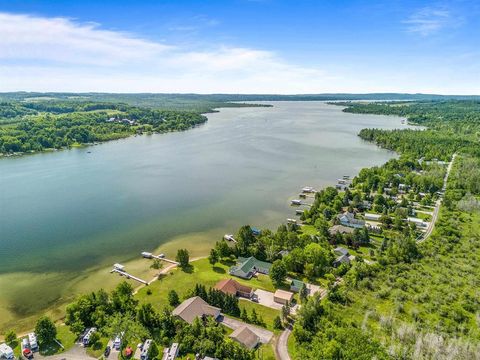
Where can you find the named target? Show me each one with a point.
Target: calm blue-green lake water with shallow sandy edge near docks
(64, 212)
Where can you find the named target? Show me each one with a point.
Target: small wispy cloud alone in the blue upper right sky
(430, 20)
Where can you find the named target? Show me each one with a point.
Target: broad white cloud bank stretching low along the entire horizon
(59, 54)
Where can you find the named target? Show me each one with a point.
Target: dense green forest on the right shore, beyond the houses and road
(452, 126)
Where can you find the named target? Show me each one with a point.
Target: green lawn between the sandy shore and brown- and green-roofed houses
(202, 272)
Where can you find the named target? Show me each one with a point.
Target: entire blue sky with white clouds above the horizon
(241, 46)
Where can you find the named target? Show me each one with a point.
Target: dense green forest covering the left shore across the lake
(36, 126)
